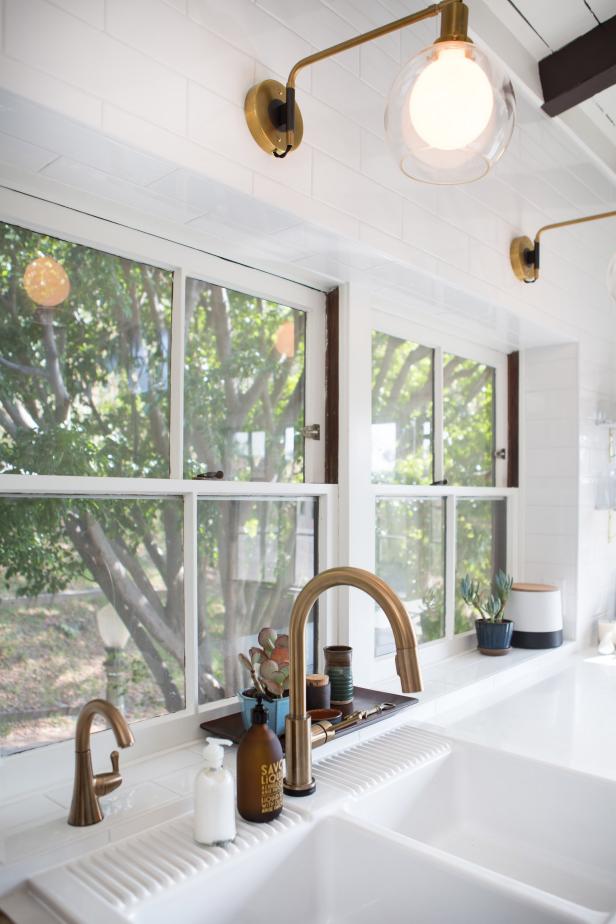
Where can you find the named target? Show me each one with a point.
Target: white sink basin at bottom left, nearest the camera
(332, 872)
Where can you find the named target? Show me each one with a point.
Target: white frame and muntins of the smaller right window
(358, 495)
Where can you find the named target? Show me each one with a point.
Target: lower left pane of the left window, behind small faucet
(93, 606)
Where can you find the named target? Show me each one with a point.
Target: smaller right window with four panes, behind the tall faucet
(440, 506)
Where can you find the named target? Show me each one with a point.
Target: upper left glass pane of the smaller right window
(402, 411)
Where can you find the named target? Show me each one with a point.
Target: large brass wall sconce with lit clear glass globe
(450, 112)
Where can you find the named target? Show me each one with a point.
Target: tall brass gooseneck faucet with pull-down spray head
(298, 744)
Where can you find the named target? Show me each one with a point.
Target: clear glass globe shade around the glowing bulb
(450, 114)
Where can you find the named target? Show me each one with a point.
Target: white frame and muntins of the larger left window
(20, 771)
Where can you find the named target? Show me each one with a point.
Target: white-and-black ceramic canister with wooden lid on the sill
(536, 611)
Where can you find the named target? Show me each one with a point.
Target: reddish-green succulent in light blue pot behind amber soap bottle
(268, 665)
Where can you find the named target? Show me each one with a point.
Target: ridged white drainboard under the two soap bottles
(130, 872)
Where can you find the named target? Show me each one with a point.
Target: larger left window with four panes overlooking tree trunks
(121, 379)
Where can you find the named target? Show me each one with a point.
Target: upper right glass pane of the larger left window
(243, 386)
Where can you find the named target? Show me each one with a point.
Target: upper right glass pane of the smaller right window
(468, 421)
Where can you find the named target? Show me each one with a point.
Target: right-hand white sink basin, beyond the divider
(550, 828)
